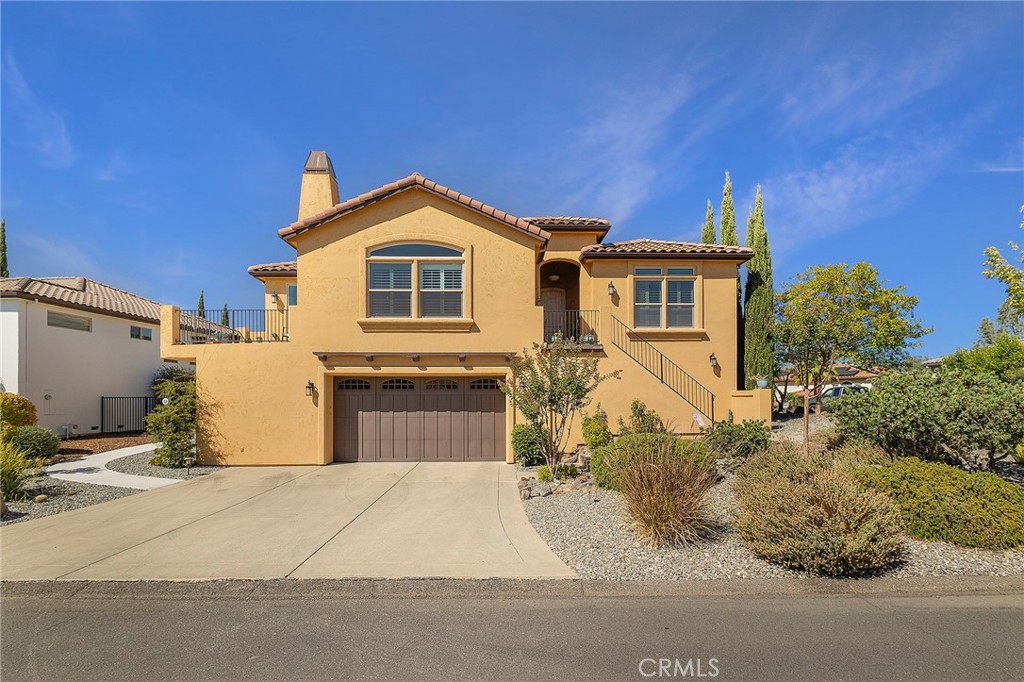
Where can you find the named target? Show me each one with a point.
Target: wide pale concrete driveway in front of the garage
(346, 521)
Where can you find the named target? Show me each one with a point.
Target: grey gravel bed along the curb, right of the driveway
(590, 533)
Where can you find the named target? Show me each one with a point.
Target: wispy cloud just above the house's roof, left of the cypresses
(615, 157)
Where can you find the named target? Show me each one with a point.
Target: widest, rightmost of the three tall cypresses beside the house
(759, 351)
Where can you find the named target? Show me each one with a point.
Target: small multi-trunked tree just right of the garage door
(549, 388)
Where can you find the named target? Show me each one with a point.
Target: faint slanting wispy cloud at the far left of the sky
(46, 129)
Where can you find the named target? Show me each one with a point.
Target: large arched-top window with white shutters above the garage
(438, 272)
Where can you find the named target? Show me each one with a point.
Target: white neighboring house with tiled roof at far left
(66, 343)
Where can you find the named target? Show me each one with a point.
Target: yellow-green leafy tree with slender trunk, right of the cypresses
(840, 312)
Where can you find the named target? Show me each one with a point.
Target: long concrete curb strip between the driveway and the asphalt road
(507, 588)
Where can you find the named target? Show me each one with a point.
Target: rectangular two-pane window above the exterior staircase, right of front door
(664, 297)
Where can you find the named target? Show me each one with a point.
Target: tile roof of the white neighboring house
(82, 294)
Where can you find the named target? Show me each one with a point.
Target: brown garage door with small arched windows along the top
(403, 420)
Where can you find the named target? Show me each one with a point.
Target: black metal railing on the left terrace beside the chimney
(233, 326)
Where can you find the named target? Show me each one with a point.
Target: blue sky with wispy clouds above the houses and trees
(159, 147)
